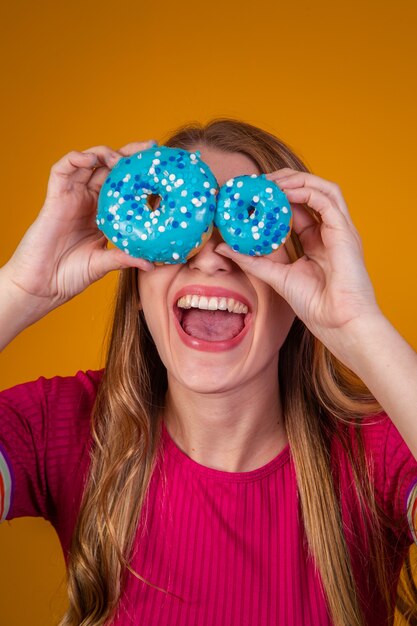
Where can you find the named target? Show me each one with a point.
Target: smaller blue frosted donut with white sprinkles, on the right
(253, 215)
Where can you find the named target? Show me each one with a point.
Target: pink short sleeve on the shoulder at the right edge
(395, 477)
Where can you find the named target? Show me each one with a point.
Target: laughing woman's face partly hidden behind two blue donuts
(245, 345)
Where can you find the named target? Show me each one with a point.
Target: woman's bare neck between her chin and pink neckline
(234, 431)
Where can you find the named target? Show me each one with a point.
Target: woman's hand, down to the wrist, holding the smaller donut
(329, 288)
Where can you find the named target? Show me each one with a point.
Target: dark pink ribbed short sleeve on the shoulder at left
(44, 435)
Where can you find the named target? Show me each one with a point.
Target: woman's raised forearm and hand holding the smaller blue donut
(330, 290)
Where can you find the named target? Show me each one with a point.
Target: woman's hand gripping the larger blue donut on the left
(63, 251)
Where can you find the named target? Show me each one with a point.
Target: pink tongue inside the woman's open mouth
(212, 325)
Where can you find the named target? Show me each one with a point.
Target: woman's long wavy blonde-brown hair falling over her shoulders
(320, 396)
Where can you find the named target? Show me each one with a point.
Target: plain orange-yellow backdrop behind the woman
(337, 81)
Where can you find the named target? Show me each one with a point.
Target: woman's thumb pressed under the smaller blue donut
(271, 272)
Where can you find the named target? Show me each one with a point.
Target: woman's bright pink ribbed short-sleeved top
(229, 548)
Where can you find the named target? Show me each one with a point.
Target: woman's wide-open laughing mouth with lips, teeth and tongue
(217, 320)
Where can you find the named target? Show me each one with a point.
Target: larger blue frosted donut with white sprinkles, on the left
(173, 231)
